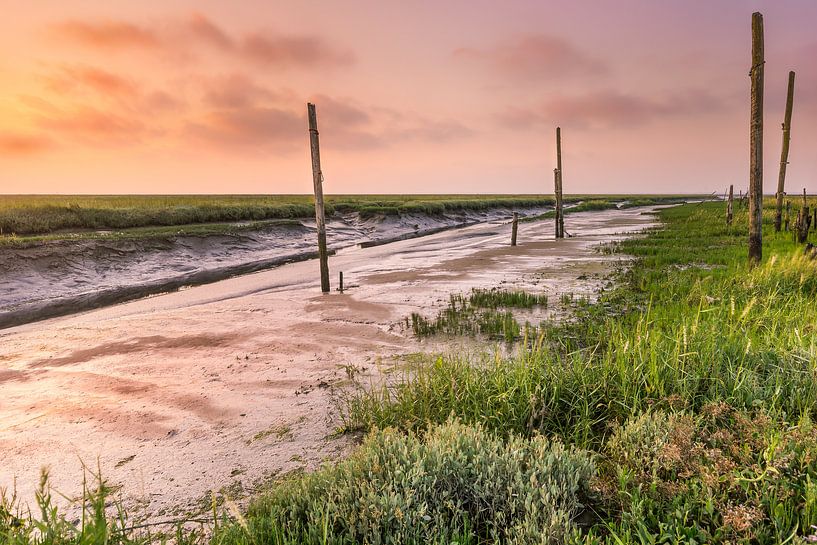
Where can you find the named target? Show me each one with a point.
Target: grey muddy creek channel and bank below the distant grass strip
(64, 277)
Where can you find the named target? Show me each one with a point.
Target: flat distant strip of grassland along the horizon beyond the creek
(43, 217)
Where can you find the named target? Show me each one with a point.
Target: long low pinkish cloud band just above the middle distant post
(608, 108)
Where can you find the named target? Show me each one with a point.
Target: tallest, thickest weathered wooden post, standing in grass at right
(756, 143)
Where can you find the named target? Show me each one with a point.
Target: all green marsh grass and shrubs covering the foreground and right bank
(678, 408)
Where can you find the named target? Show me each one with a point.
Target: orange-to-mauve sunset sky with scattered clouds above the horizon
(445, 96)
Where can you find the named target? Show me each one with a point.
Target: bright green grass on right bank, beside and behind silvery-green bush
(693, 384)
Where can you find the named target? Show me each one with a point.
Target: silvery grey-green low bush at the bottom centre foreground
(457, 480)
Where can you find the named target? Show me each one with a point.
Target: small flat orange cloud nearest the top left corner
(106, 34)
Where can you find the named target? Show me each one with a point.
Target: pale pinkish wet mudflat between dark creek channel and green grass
(229, 383)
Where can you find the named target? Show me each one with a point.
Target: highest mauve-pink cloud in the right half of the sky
(534, 57)
